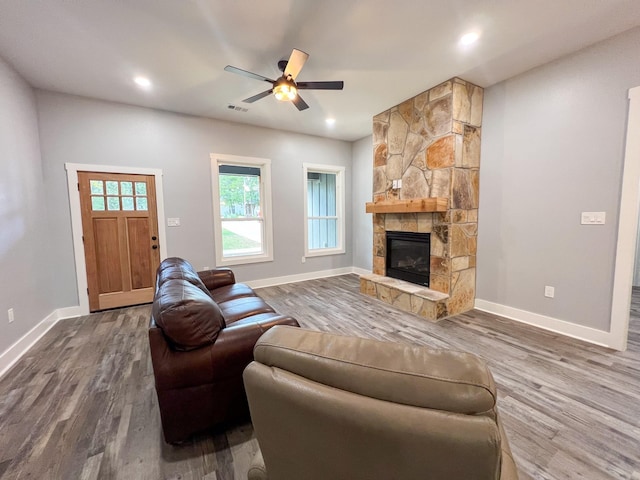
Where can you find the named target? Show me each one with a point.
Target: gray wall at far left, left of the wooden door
(24, 260)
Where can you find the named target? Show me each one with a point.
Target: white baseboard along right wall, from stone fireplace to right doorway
(562, 327)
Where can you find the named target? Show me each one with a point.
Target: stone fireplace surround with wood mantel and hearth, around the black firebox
(426, 180)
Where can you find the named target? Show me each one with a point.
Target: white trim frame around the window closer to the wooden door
(265, 207)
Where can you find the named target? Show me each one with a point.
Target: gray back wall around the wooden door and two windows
(80, 130)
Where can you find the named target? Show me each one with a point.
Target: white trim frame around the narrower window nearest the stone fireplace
(340, 200)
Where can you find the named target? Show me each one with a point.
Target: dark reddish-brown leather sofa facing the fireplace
(202, 331)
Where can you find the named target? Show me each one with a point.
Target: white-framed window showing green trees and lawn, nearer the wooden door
(241, 209)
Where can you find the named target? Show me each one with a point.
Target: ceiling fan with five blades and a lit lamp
(286, 88)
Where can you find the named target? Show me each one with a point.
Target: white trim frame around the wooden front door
(76, 217)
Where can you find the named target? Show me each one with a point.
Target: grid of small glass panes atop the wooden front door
(113, 195)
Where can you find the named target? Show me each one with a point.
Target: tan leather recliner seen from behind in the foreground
(325, 406)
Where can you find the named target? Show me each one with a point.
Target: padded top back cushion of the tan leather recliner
(407, 374)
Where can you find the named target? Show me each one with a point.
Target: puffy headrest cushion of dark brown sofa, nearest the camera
(188, 317)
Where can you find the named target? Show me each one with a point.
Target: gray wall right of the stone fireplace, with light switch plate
(553, 146)
